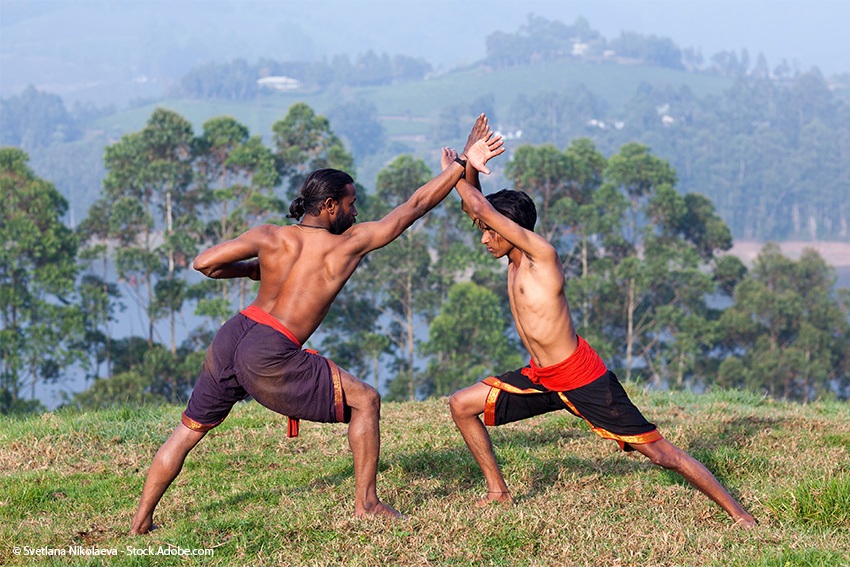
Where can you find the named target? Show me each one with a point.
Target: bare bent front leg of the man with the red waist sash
(466, 405)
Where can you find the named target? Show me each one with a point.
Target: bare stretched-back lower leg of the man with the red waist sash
(667, 455)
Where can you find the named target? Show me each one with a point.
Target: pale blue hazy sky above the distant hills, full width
(106, 38)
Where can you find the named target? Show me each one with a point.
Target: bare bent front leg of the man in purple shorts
(364, 438)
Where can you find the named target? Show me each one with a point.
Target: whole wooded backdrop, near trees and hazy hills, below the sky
(640, 198)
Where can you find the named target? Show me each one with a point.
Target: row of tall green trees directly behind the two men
(647, 280)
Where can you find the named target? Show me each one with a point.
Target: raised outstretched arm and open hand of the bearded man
(482, 145)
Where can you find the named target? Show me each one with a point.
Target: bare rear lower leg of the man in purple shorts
(165, 467)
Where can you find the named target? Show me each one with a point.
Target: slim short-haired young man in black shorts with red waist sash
(564, 372)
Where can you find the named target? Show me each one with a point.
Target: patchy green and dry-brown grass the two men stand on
(253, 496)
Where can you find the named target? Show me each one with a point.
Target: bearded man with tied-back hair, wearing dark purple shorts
(301, 269)
